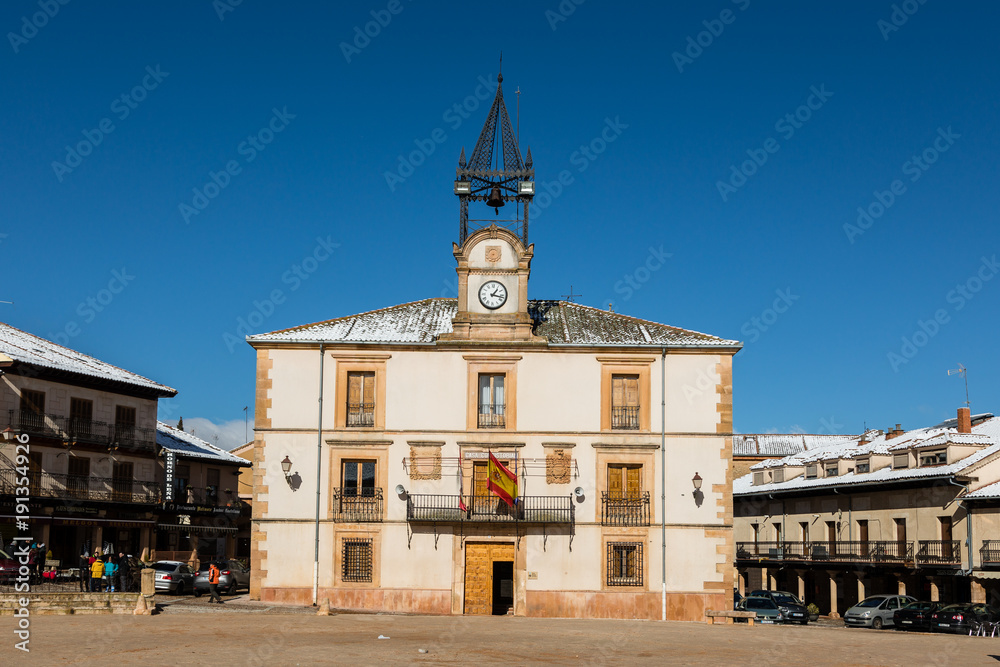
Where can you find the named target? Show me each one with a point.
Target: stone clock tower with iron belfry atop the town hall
(493, 254)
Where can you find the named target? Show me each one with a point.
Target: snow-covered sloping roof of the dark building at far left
(27, 348)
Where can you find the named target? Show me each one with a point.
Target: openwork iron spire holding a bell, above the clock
(496, 175)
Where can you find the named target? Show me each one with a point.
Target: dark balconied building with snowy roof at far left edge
(92, 465)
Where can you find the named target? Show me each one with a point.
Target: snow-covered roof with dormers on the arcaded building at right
(985, 432)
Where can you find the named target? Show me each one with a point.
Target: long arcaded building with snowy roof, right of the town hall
(893, 511)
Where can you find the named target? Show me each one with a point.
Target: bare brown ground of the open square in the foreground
(242, 632)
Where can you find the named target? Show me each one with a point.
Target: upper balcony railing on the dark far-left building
(75, 430)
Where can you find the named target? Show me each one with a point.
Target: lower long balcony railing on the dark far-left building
(82, 487)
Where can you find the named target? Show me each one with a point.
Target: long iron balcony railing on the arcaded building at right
(881, 551)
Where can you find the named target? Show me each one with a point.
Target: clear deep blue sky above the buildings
(251, 155)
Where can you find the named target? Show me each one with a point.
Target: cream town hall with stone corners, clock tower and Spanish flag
(374, 433)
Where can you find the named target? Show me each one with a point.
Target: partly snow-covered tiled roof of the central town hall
(561, 322)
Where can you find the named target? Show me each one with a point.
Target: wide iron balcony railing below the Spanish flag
(488, 509)
